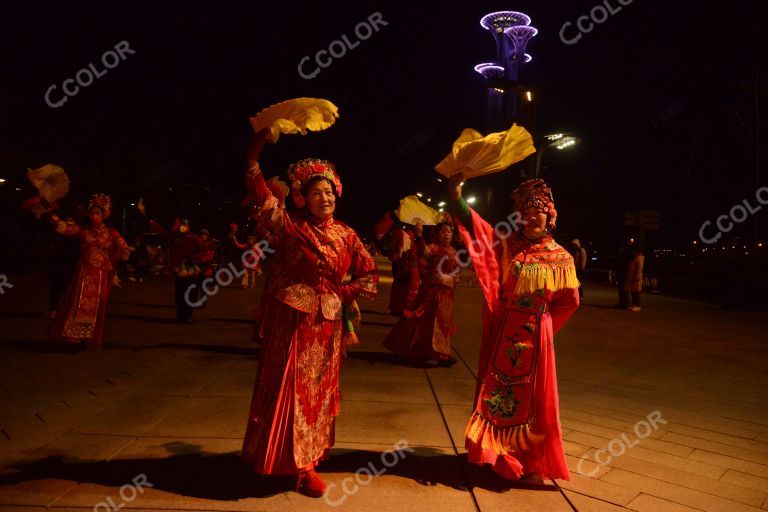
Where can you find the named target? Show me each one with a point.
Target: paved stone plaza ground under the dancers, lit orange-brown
(662, 410)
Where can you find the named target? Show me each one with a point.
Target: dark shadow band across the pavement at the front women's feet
(193, 473)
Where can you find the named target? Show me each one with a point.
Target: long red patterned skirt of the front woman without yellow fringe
(296, 397)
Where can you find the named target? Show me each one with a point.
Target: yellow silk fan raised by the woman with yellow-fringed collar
(477, 155)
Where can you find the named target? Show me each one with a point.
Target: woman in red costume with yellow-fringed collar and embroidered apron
(530, 289)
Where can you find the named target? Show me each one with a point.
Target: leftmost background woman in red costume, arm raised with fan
(80, 319)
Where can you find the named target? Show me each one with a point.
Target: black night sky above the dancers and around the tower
(176, 111)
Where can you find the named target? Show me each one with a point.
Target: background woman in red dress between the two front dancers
(425, 329)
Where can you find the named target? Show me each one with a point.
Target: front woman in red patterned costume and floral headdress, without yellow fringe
(296, 396)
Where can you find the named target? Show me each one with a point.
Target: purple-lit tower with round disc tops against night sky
(512, 31)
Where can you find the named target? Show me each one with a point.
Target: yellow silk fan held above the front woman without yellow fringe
(295, 116)
